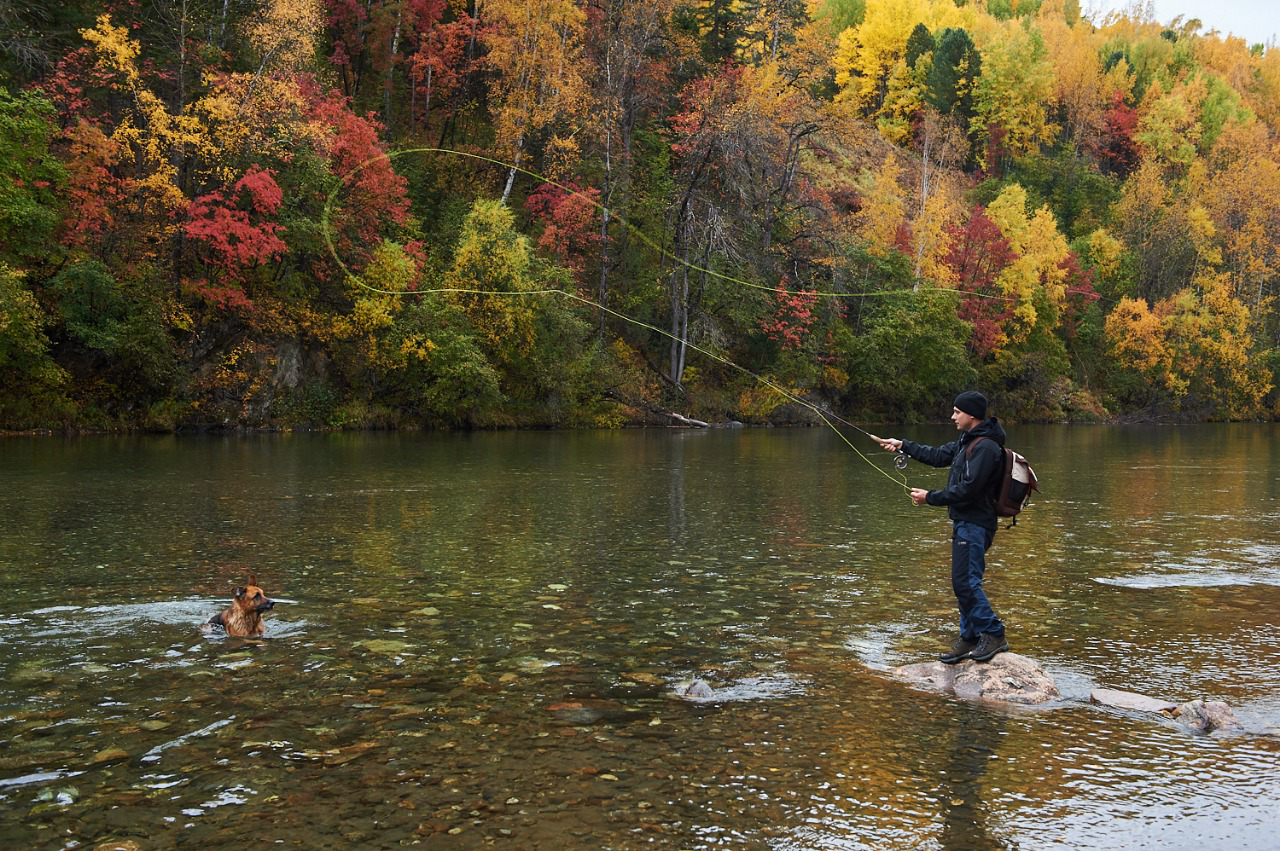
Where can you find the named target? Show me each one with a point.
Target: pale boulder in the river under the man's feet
(1008, 678)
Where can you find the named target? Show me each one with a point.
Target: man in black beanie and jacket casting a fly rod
(977, 466)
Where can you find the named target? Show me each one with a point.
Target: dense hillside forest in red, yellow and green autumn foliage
(211, 212)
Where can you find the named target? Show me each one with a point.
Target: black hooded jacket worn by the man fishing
(975, 482)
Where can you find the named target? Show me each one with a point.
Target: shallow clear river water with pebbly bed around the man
(483, 639)
